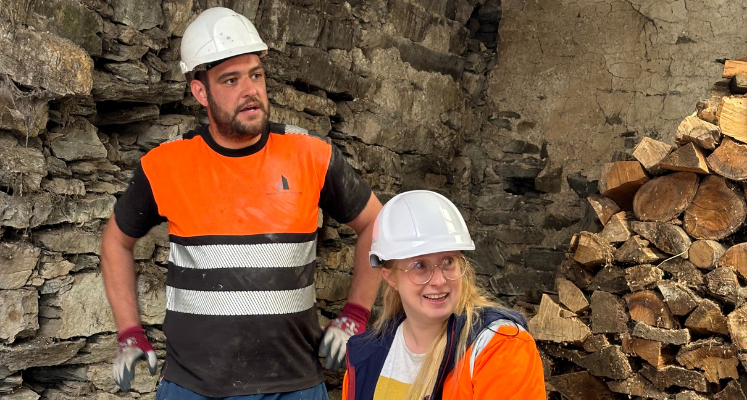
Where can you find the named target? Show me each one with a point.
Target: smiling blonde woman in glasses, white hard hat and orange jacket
(437, 337)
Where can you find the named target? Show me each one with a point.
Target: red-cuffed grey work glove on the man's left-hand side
(133, 346)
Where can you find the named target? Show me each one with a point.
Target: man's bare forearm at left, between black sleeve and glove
(118, 270)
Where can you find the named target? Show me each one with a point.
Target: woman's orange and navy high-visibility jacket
(507, 366)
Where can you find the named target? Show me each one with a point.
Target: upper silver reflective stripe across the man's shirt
(268, 255)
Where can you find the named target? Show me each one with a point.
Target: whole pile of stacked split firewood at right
(654, 305)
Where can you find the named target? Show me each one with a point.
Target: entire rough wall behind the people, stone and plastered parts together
(508, 108)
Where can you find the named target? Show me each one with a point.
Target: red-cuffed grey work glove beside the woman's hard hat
(351, 321)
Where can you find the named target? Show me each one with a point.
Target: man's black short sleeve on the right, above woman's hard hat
(344, 194)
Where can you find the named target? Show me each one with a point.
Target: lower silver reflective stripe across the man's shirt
(240, 303)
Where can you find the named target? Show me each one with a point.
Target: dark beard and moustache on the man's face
(230, 126)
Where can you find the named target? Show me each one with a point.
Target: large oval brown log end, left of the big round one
(664, 198)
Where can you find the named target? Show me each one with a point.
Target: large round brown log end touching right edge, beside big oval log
(717, 210)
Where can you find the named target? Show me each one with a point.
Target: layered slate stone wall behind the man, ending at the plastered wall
(89, 86)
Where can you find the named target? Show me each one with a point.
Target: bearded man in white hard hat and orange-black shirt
(241, 198)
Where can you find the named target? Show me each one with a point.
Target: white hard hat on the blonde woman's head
(416, 223)
